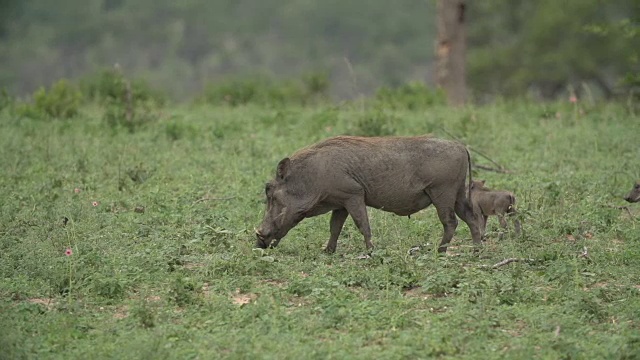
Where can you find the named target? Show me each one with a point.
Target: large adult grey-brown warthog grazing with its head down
(345, 174)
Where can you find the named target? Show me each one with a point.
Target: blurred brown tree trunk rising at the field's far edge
(451, 50)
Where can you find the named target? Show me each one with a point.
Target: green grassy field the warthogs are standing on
(160, 224)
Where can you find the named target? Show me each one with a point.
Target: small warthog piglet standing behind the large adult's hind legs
(492, 202)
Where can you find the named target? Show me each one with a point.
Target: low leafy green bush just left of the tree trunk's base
(411, 96)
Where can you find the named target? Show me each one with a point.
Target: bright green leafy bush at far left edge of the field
(62, 101)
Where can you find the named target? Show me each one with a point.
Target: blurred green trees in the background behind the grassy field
(515, 47)
